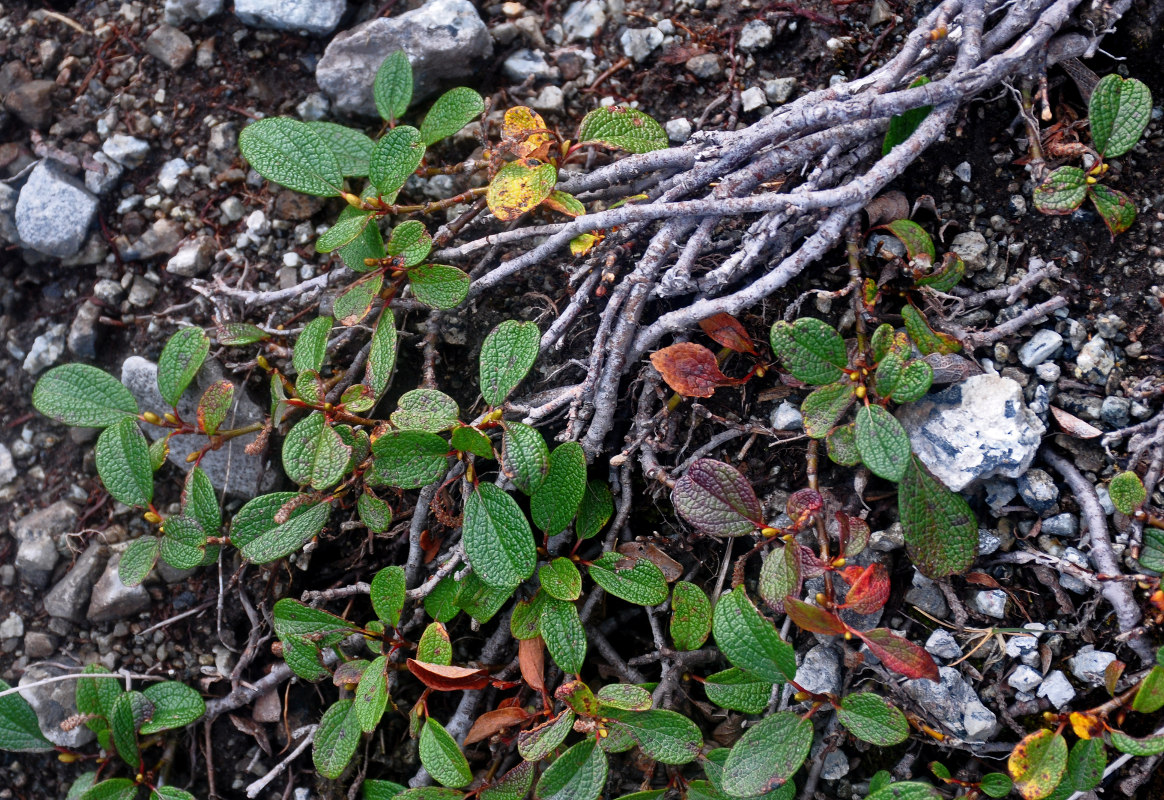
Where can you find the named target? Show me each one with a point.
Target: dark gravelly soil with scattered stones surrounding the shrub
(126, 213)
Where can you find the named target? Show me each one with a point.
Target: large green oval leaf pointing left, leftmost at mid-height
(84, 397)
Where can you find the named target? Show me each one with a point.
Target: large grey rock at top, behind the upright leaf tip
(445, 40)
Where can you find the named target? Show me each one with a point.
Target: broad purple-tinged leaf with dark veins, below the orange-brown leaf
(714, 498)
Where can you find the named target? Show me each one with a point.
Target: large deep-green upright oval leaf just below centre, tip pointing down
(498, 539)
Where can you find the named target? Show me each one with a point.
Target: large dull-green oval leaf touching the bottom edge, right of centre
(768, 755)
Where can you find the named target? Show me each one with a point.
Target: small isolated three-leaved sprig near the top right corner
(1118, 114)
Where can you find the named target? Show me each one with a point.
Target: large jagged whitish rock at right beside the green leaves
(974, 430)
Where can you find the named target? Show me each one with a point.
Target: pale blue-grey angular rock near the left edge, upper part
(54, 213)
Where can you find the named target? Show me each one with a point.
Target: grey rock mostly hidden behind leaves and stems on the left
(245, 471)
